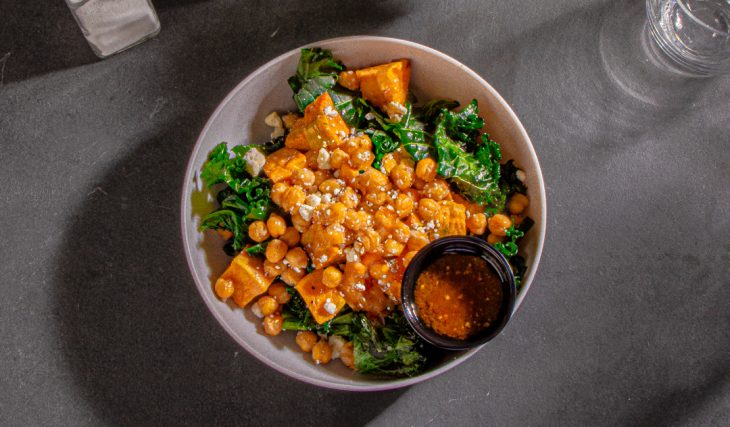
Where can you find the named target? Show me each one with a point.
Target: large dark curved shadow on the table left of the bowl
(140, 343)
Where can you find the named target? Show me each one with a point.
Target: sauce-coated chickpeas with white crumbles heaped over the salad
(360, 225)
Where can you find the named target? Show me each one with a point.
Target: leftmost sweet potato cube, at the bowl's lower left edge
(248, 278)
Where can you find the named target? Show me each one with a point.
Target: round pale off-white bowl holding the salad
(239, 119)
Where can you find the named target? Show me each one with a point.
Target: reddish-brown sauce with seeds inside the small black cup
(458, 295)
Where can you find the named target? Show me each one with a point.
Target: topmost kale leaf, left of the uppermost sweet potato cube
(316, 73)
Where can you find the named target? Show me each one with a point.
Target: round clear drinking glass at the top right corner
(694, 34)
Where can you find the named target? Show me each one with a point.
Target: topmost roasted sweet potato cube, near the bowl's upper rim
(386, 85)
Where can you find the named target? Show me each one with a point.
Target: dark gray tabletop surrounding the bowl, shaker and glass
(627, 322)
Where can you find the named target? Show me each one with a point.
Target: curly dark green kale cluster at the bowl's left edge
(244, 200)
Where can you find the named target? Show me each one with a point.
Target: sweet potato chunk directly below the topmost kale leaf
(322, 126)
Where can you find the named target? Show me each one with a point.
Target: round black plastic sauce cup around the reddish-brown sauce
(462, 245)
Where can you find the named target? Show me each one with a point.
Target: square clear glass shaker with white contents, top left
(111, 26)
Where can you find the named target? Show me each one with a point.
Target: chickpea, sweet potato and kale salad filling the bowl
(323, 219)
